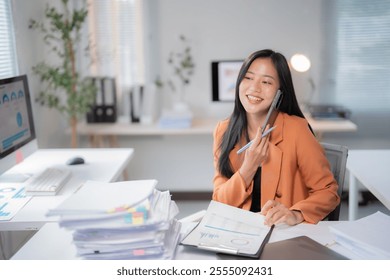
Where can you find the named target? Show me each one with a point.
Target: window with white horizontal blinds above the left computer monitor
(8, 62)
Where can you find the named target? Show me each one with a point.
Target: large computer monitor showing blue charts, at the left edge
(17, 132)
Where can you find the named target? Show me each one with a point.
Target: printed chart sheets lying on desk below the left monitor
(12, 199)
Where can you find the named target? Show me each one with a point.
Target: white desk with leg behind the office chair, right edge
(371, 168)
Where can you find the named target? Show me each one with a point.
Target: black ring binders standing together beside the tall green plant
(104, 109)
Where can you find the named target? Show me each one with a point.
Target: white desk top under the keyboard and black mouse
(104, 165)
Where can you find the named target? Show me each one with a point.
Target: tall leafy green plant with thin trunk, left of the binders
(64, 88)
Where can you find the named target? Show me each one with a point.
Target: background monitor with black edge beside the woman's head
(224, 75)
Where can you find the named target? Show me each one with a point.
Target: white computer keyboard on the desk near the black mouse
(48, 182)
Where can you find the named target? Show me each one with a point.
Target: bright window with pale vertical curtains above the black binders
(117, 48)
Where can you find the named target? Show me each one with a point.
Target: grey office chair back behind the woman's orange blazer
(337, 157)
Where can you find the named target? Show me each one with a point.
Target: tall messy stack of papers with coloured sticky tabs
(123, 220)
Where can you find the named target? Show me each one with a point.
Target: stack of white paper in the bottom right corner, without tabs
(367, 237)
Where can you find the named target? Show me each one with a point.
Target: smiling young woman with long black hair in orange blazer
(285, 175)
